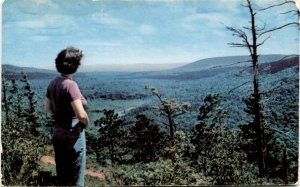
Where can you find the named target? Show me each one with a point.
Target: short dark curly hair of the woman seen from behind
(68, 60)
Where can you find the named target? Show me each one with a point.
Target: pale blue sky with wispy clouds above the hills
(132, 31)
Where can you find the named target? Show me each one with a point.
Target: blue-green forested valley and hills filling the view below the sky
(186, 126)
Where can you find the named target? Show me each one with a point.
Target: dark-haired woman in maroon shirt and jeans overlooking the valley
(65, 101)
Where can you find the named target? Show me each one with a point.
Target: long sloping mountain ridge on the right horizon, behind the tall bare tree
(193, 71)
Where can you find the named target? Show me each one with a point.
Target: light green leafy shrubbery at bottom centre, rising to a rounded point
(173, 170)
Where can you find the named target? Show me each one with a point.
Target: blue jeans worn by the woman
(70, 154)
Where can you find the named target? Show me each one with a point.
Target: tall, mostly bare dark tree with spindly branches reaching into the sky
(252, 38)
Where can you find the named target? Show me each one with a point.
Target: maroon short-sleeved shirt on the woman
(61, 92)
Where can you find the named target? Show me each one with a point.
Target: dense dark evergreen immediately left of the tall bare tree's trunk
(217, 147)
